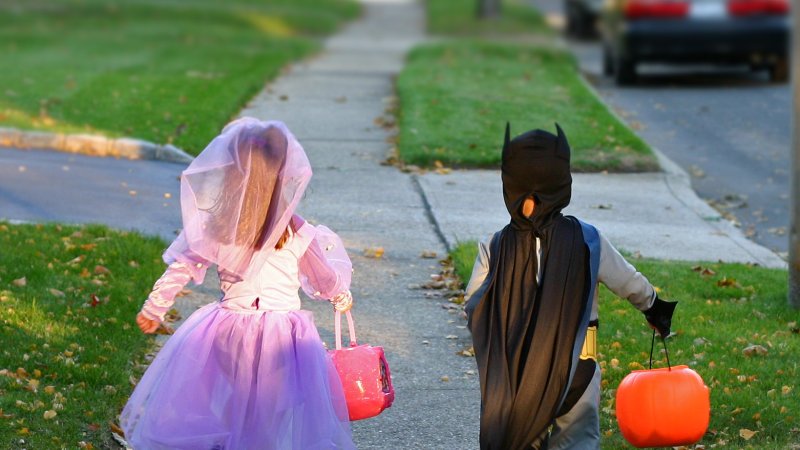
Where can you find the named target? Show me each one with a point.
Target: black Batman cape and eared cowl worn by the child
(525, 333)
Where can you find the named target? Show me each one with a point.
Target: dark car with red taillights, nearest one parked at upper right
(754, 32)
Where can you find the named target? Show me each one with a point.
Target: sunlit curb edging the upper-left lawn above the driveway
(92, 145)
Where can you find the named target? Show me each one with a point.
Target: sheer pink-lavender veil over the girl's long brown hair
(238, 196)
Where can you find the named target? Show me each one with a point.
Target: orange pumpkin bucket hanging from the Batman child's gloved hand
(663, 407)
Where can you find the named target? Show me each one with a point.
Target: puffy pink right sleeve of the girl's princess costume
(325, 268)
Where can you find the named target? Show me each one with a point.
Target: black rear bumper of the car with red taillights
(729, 40)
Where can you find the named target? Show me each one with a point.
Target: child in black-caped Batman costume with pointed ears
(532, 306)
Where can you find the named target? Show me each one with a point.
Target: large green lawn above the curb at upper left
(164, 71)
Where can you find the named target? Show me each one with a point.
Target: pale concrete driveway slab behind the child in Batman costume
(653, 215)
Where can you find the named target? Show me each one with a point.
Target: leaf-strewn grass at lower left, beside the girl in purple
(68, 298)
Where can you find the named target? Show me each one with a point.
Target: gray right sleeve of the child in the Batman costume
(622, 278)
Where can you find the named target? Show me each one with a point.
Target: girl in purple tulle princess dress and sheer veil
(248, 371)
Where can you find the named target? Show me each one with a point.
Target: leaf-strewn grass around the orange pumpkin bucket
(724, 308)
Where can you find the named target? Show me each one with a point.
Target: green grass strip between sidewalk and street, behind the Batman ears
(456, 96)
